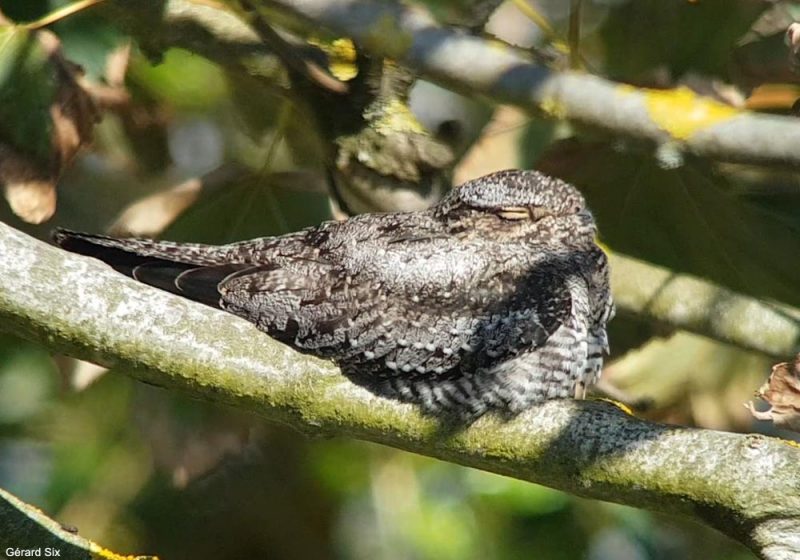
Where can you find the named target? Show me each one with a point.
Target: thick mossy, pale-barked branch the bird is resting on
(746, 486)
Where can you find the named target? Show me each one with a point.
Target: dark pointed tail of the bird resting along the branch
(188, 269)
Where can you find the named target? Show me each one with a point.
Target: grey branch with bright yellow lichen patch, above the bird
(478, 66)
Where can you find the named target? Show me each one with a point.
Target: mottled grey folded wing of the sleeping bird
(417, 305)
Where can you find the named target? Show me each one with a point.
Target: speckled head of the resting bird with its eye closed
(519, 204)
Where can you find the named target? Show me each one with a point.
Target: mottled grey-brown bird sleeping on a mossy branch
(496, 298)
